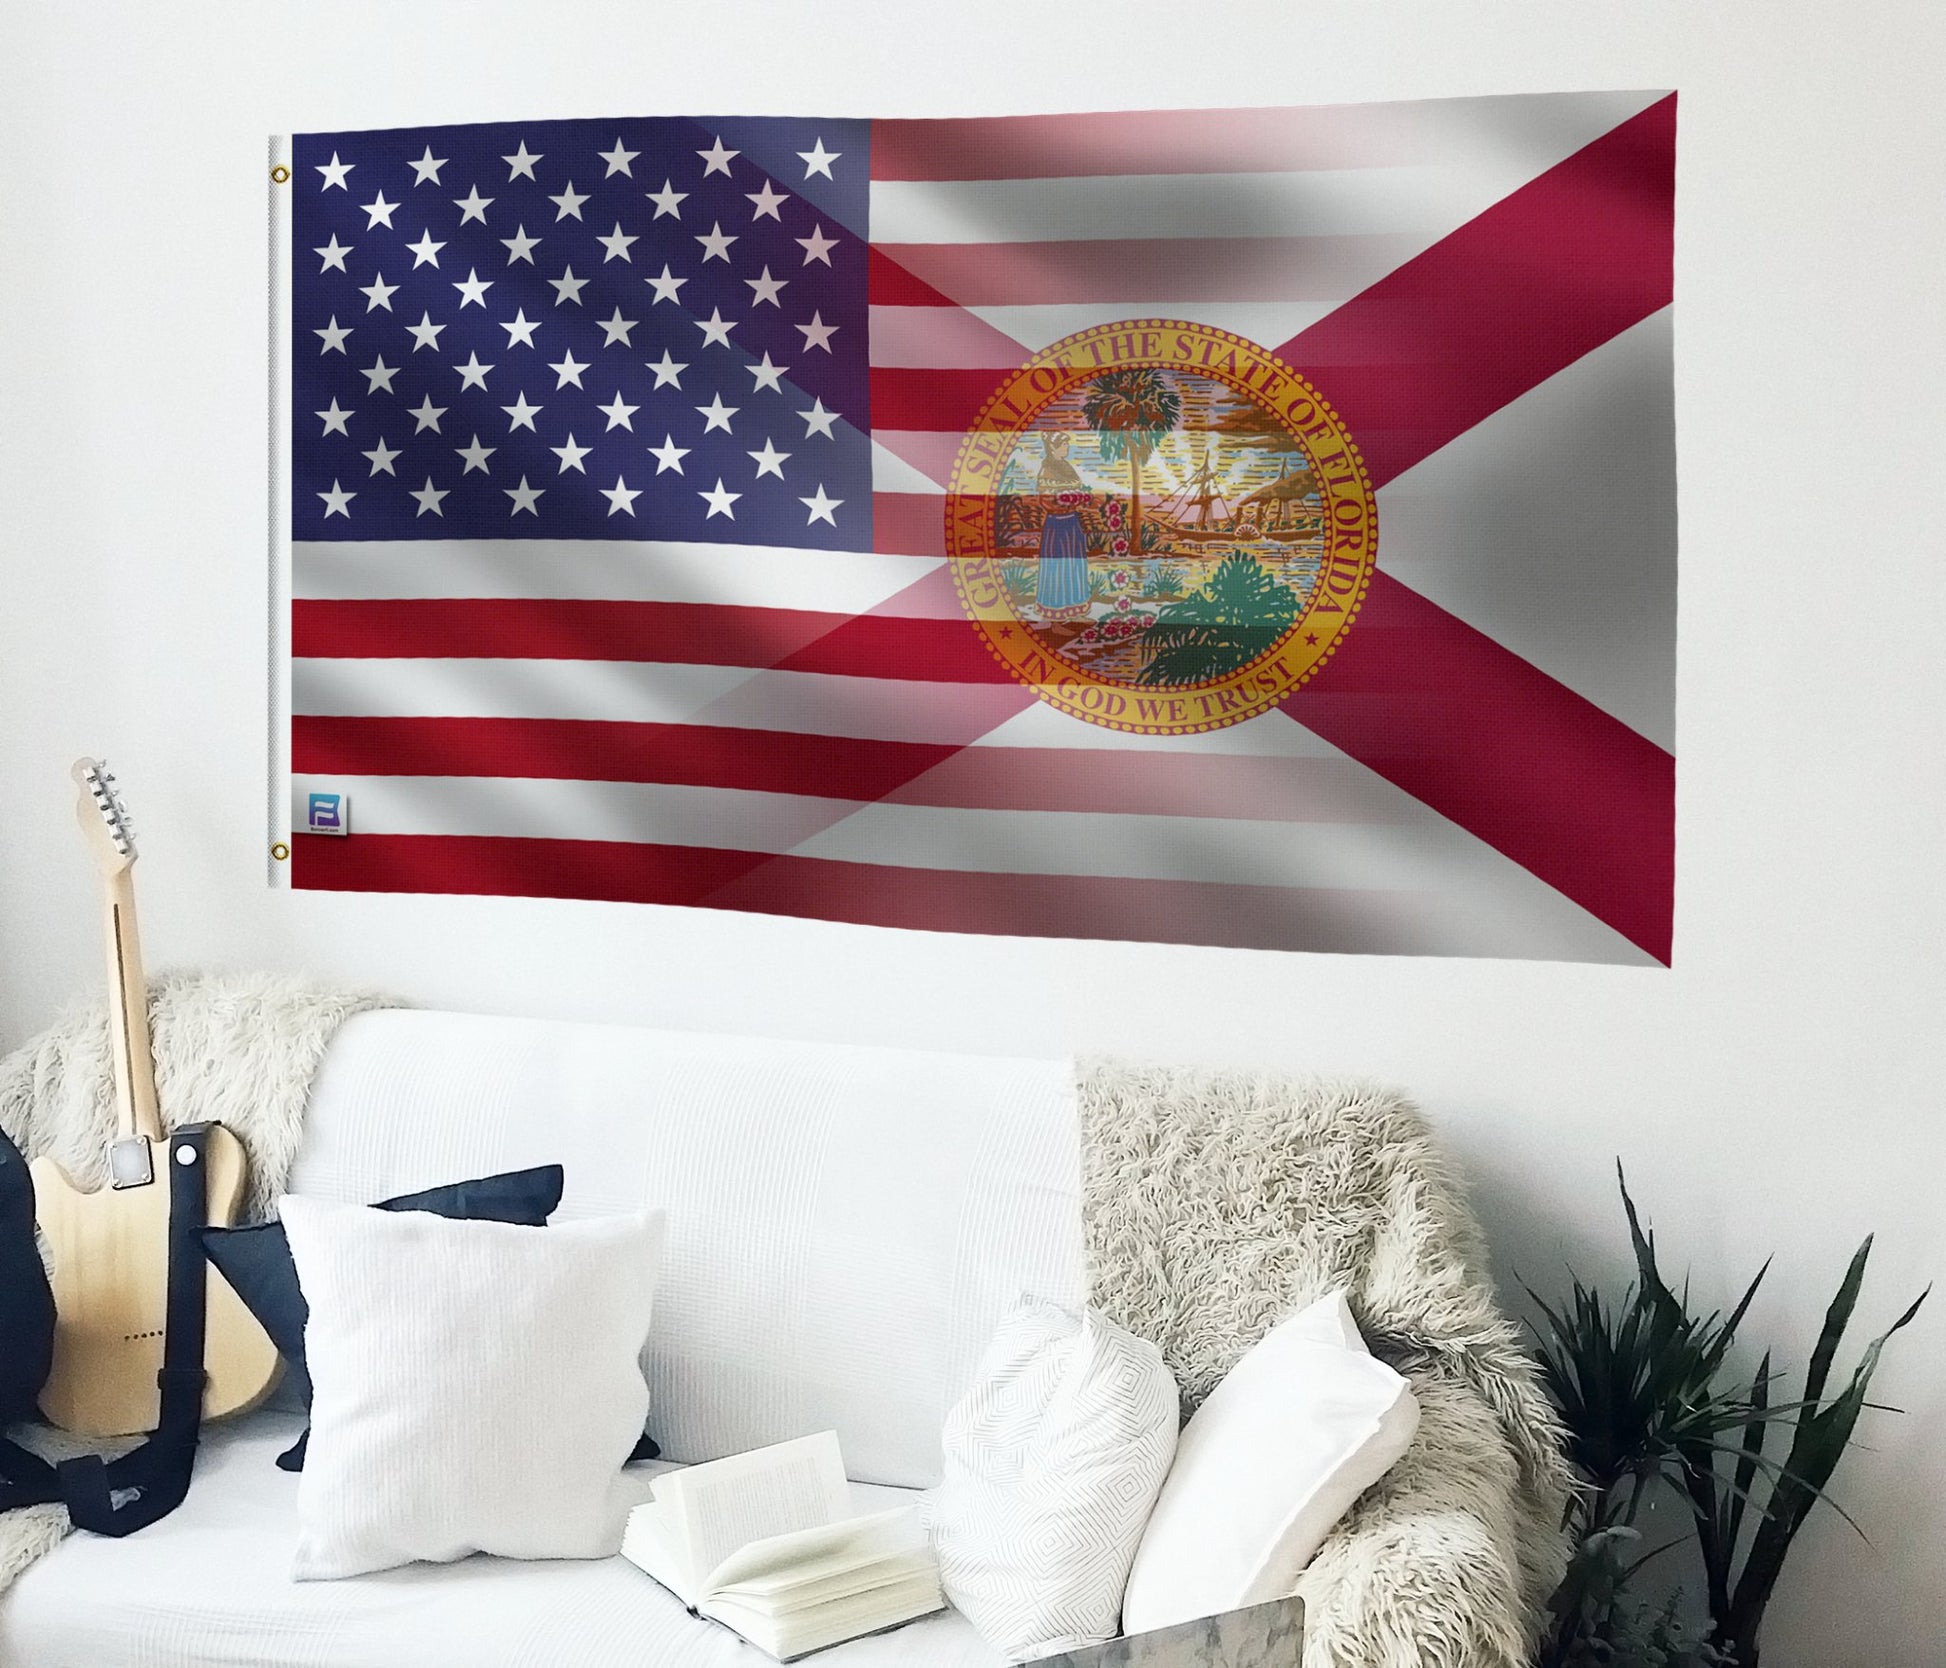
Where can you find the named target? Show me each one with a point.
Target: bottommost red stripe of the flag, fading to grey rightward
(1036, 906)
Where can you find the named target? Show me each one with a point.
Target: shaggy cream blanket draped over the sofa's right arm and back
(1219, 1202)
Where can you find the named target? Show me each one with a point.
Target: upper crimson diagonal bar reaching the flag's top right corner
(1521, 293)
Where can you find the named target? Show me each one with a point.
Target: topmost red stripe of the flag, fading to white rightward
(1250, 141)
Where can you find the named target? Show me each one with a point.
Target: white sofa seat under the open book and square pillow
(211, 1585)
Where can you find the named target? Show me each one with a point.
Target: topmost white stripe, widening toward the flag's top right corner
(1486, 153)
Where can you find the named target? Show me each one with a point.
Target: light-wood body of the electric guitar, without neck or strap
(112, 1299)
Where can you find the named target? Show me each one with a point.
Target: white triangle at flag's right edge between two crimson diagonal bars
(1552, 528)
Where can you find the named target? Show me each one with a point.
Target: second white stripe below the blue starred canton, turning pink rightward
(622, 692)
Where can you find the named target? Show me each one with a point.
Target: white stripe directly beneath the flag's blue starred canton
(606, 571)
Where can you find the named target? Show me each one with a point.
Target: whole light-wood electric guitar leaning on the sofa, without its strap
(112, 1249)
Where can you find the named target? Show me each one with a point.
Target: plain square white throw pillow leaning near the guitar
(476, 1387)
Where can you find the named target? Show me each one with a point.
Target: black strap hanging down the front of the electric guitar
(118, 1498)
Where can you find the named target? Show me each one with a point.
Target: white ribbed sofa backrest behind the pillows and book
(846, 1223)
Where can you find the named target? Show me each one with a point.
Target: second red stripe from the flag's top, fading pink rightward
(1141, 272)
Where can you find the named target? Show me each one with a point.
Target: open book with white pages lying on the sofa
(766, 1544)
